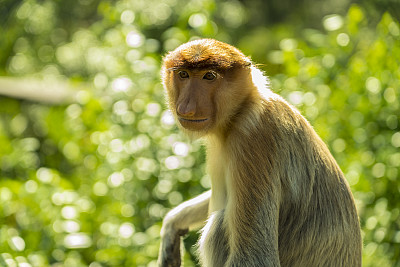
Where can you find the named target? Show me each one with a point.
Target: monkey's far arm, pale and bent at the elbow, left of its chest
(187, 216)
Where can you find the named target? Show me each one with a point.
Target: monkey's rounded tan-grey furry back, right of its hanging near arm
(318, 222)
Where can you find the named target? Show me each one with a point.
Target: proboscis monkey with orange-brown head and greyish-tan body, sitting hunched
(278, 197)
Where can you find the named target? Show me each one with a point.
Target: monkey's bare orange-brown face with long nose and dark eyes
(191, 96)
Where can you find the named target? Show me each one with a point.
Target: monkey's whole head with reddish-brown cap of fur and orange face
(205, 81)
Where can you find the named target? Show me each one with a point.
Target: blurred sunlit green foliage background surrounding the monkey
(91, 160)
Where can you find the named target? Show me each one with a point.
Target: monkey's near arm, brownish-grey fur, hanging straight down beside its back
(253, 209)
